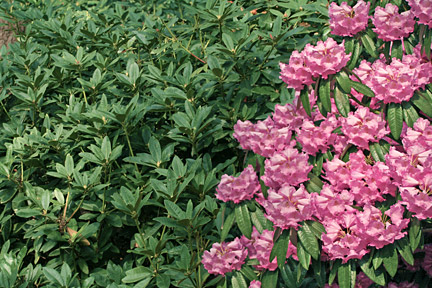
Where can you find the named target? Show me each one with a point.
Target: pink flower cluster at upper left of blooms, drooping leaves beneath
(324, 59)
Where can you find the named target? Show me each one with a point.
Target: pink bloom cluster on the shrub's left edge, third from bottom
(263, 138)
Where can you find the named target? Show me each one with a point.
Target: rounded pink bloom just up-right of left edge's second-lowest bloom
(288, 167)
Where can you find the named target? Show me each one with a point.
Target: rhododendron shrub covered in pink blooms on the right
(345, 170)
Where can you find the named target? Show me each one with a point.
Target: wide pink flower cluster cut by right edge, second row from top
(397, 81)
